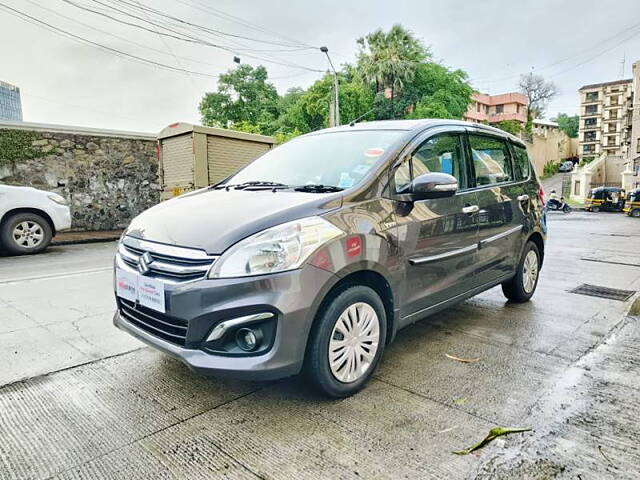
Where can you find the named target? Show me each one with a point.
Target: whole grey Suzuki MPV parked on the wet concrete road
(313, 256)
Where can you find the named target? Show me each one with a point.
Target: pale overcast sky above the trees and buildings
(66, 81)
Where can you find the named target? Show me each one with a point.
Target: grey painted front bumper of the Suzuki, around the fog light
(292, 296)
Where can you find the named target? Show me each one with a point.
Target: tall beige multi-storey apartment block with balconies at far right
(605, 119)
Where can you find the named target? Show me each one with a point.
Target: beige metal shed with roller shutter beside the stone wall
(193, 156)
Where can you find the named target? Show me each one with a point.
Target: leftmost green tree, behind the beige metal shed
(244, 96)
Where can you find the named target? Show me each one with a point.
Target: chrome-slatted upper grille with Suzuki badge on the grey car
(176, 264)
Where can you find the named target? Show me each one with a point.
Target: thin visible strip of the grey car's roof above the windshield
(418, 125)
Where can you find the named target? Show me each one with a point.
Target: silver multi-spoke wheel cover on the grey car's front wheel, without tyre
(354, 342)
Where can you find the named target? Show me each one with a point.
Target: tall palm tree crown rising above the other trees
(390, 59)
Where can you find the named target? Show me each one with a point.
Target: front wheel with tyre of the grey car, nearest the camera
(347, 342)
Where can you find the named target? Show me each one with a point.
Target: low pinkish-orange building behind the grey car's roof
(497, 108)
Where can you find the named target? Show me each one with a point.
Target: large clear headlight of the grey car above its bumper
(276, 249)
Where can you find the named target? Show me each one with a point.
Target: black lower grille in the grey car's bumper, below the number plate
(168, 328)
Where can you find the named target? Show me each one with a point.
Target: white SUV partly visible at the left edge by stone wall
(29, 218)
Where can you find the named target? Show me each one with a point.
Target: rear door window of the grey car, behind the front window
(490, 160)
